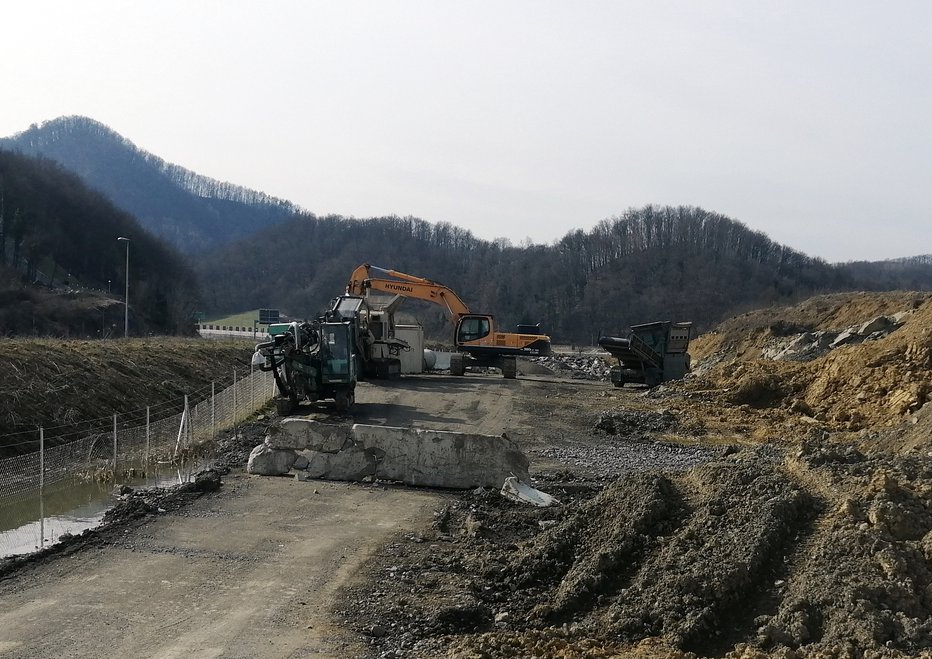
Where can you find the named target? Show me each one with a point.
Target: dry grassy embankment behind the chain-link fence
(61, 385)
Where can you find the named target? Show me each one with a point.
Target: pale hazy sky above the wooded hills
(525, 120)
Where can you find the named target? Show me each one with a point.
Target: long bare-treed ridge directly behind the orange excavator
(653, 263)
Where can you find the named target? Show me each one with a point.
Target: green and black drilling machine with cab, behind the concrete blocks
(310, 360)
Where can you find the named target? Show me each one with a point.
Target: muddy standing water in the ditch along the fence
(33, 522)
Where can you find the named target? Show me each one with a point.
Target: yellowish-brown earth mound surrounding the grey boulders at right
(874, 384)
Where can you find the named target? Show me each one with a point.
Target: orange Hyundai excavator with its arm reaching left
(476, 338)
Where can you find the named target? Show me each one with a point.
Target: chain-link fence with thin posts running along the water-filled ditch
(155, 443)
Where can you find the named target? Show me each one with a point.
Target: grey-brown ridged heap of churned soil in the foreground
(825, 553)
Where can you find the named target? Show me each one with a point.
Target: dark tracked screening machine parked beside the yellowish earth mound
(651, 353)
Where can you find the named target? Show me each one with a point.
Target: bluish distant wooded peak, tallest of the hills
(190, 211)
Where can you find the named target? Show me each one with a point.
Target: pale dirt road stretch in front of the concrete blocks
(249, 572)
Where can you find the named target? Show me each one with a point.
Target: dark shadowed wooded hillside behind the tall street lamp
(62, 270)
